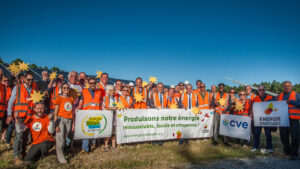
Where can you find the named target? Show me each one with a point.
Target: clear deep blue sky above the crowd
(251, 41)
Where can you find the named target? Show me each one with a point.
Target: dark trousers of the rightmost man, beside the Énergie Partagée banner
(285, 132)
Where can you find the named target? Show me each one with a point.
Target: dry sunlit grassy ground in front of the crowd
(170, 155)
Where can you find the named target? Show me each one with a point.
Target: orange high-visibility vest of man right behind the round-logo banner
(90, 103)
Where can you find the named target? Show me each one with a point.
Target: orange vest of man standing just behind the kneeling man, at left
(23, 106)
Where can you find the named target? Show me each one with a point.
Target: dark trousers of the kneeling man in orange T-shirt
(37, 151)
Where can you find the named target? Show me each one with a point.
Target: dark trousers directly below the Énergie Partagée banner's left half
(256, 137)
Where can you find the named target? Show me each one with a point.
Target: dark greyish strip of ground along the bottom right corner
(251, 163)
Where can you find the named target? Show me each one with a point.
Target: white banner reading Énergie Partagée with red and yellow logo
(271, 114)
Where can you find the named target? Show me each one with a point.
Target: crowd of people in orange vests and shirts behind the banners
(52, 121)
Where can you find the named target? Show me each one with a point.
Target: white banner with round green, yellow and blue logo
(93, 124)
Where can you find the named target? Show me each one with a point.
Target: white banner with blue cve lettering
(235, 126)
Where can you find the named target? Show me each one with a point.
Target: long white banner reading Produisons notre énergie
(151, 124)
